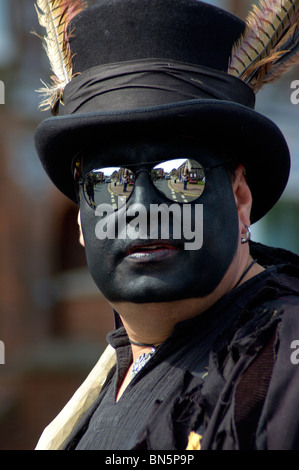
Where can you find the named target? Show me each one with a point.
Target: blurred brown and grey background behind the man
(53, 320)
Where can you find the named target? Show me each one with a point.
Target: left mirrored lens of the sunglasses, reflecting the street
(105, 185)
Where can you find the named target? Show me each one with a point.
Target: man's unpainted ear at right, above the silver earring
(242, 195)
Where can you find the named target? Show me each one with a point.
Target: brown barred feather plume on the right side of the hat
(269, 46)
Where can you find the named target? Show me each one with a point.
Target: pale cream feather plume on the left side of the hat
(55, 16)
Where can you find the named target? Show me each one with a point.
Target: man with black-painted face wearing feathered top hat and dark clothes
(204, 318)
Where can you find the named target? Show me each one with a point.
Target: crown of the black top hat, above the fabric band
(124, 30)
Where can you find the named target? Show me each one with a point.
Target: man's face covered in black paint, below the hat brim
(135, 261)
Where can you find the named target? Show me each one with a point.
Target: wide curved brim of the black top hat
(243, 133)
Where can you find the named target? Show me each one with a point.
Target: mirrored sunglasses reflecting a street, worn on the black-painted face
(178, 180)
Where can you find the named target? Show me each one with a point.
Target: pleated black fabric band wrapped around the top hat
(150, 82)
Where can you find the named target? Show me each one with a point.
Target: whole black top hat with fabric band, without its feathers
(152, 67)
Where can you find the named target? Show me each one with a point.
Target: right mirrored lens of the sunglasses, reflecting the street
(180, 180)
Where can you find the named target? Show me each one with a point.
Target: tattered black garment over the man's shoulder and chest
(230, 375)
